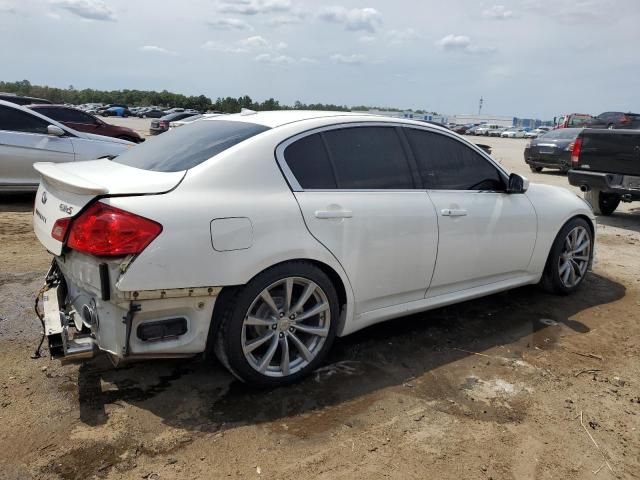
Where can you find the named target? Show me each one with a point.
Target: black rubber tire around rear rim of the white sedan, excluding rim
(227, 343)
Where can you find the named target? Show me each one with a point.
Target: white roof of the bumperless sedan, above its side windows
(277, 118)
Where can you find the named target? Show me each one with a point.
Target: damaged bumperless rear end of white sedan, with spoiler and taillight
(93, 242)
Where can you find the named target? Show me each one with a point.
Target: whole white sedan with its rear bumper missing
(263, 236)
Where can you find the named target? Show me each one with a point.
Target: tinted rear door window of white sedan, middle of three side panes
(368, 158)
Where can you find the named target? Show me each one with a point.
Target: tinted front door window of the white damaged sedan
(448, 164)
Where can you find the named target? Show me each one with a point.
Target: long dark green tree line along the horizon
(164, 98)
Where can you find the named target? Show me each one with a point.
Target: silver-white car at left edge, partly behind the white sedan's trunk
(27, 137)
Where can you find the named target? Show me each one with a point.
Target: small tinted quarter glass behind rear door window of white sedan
(308, 161)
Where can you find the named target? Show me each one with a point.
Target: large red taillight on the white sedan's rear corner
(106, 231)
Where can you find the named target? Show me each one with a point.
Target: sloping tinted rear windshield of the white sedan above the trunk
(185, 147)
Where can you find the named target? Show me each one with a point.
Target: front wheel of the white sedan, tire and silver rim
(569, 258)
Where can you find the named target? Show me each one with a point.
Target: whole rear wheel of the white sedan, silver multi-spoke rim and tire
(280, 326)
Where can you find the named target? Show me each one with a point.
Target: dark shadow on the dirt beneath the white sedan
(202, 396)
